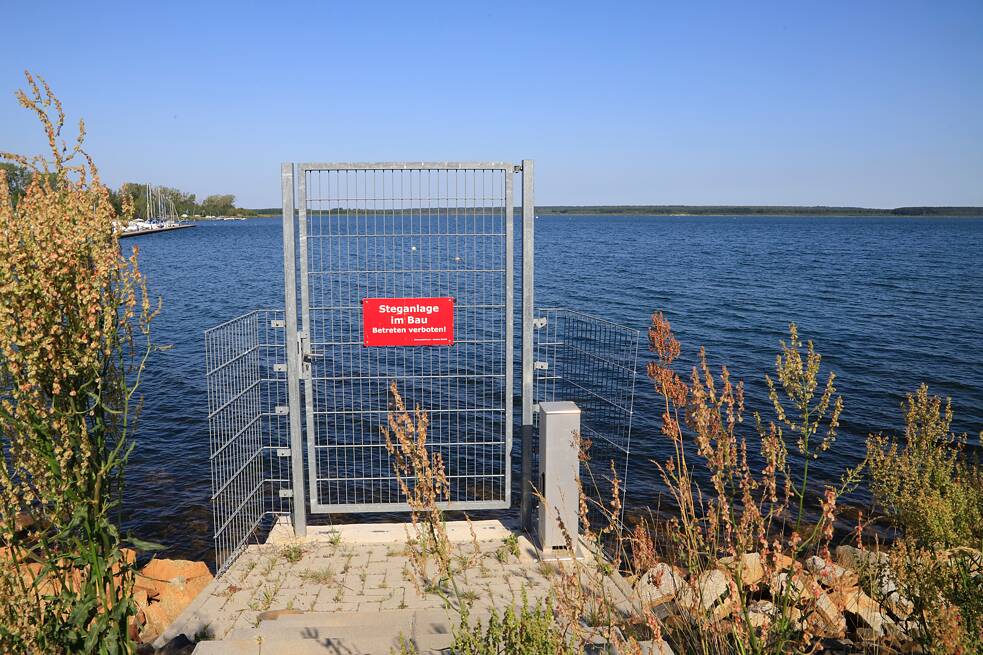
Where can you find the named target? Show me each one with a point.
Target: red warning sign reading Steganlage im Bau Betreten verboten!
(408, 321)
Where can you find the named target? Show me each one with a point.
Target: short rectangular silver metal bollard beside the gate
(559, 468)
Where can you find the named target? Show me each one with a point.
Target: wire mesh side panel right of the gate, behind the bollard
(592, 362)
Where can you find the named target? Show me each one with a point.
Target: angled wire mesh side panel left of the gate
(246, 381)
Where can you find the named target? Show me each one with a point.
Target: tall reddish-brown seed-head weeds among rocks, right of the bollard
(753, 508)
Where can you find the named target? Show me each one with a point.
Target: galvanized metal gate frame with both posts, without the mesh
(299, 348)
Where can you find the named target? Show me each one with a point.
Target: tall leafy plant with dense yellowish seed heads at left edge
(74, 337)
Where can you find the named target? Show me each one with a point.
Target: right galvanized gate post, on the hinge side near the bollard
(528, 225)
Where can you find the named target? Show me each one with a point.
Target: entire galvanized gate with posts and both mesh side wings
(304, 384)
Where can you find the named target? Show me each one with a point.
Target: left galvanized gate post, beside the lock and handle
(293, 353)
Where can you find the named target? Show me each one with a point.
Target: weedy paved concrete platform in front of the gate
(351, 589)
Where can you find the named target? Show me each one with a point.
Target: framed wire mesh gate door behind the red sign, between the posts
(402, 231)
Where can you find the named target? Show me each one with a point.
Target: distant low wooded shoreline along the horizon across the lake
(721, 210)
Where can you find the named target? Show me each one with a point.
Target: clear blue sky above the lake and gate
(837, 103)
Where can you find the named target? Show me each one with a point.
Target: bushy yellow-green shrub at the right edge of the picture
(934, 495)
